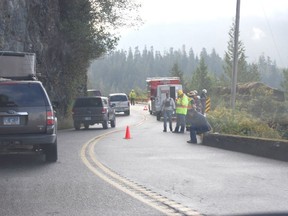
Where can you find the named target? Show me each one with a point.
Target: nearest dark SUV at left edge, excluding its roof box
(27, 119)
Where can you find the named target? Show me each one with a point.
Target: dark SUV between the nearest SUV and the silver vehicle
(93, 110)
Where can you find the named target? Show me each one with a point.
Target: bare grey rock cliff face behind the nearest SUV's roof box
(33, 26)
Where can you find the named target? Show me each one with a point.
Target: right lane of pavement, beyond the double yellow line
(209, 180)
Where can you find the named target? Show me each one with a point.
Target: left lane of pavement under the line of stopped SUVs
(30, 187)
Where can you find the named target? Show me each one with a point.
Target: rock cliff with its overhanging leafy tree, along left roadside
(65, 35)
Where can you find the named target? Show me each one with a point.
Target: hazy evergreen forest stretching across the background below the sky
(121, 70)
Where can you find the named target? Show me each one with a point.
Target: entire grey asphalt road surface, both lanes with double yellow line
(100, 172)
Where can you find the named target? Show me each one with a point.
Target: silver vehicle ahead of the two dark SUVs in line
(120, 102)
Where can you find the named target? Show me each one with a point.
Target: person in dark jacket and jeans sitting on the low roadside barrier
(198, 125)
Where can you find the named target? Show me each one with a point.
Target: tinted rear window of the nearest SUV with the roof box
(21, 95)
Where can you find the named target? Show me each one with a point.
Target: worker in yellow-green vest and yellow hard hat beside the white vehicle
(181, 111)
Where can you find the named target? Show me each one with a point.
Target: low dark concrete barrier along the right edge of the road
(275, 149)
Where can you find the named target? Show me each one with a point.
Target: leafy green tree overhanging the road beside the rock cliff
(86, 28)
